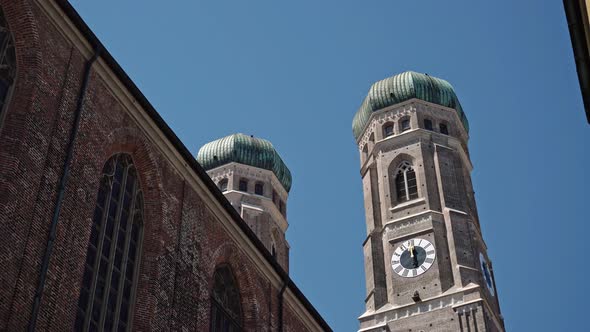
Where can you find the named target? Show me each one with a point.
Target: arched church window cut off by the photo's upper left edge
(7, 63)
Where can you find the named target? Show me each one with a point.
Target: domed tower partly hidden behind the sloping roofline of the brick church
(256, 181)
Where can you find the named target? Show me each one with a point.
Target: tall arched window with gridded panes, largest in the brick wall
(112, 257)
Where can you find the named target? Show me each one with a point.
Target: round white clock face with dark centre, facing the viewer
(413, 257)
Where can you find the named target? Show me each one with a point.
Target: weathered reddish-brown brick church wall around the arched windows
(183, 240)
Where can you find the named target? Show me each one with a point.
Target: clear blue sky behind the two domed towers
(295, 73)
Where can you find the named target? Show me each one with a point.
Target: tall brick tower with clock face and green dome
(426, 262)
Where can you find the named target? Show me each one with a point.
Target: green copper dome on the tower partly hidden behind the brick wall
(246, 150)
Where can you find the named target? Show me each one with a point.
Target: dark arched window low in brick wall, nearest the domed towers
(226, 312)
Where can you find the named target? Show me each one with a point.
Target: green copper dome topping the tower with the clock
(402, 87)
